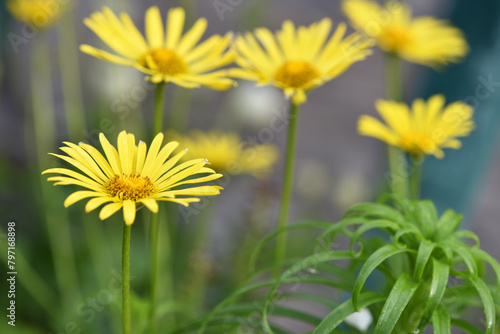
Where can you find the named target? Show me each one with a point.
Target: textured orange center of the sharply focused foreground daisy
(130, 187)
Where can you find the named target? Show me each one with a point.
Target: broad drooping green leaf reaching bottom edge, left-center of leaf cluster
(395, 304)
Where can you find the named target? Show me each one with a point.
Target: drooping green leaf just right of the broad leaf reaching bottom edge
(440, 275)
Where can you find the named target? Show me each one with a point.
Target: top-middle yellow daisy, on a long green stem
(298, 60)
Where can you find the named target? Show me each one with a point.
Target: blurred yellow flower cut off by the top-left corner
(38, 14)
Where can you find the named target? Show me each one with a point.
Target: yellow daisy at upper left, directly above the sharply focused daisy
(166, 55)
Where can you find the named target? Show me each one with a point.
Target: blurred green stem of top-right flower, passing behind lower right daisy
(397, 158)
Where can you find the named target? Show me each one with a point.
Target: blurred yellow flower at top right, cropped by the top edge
(423, 40)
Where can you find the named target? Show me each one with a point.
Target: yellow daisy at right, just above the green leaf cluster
(425, 129)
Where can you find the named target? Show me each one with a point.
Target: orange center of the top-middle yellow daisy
(296, 74)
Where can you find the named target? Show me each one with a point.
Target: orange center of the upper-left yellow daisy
(165, 61)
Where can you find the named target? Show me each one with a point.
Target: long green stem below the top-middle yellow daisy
(286, 195)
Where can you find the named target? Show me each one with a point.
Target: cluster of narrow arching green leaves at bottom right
(430, 273)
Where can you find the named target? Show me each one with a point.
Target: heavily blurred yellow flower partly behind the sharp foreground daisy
(227, 153)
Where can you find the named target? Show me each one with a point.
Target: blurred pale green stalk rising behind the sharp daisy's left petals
(70, 78)
